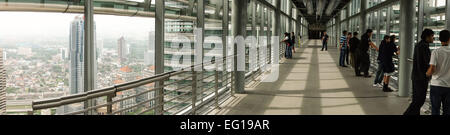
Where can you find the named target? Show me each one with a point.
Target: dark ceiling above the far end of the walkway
(319, 12)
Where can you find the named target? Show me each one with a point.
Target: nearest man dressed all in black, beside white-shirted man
(421, 63)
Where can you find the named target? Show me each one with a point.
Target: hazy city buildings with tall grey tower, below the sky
(48, 69)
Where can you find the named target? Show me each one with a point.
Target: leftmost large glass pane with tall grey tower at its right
(37, 58)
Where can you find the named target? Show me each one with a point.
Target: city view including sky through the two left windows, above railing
(40, 66)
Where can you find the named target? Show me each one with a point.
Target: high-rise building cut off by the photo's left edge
(2, 85)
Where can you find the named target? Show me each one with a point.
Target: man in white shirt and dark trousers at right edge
(439, 70)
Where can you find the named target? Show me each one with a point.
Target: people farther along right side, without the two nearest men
(354, 52)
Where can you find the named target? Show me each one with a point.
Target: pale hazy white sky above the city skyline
(50, 25)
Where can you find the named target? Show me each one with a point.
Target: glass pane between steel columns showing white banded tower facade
(178, 52)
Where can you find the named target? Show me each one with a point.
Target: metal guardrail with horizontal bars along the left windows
(149, 95)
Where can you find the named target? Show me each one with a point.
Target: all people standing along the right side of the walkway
(427, 67)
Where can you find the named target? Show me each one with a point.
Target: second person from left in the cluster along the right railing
(354, 43)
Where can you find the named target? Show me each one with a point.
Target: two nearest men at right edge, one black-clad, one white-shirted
(431, 67)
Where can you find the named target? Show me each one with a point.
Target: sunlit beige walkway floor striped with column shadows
(312, 83)
